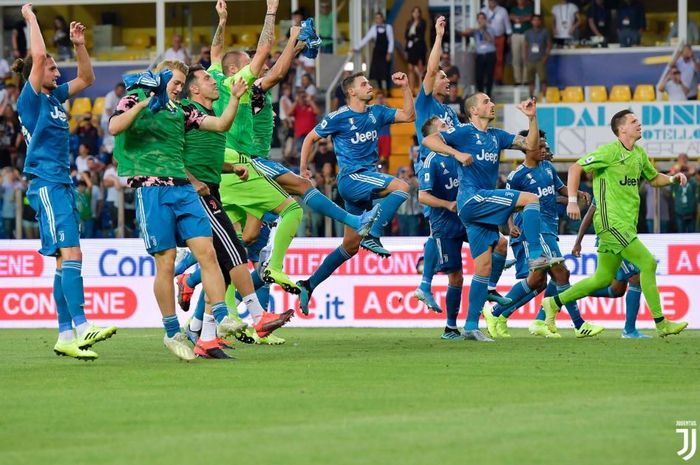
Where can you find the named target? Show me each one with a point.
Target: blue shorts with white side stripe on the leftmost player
(57, 215)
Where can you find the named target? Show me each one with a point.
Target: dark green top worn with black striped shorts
(204, 150)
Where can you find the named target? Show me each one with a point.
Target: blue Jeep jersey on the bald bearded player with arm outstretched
(485, 147)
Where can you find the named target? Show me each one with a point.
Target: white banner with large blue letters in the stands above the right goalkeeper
(573, 130)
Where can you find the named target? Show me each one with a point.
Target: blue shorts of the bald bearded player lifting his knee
(482, 213)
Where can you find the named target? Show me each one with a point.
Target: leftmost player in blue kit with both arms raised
(51, 193)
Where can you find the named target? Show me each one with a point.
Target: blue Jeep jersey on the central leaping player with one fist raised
(355, 136)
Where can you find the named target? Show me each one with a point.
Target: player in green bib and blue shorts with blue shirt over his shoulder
(150, 149)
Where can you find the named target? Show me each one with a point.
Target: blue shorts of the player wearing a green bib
(169, 216)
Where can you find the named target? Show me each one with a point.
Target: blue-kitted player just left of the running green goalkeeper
(539, 177)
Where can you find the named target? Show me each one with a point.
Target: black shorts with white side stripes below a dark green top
(230, 251)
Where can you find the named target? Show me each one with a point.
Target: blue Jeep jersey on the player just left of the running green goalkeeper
(544, 182)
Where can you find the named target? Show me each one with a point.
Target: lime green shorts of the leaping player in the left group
(256, 196)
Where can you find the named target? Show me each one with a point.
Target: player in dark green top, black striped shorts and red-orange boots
(204, 162)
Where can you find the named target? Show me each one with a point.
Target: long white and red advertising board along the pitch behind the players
(365, 292)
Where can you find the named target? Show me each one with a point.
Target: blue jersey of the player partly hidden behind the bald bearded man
(440, 176)
